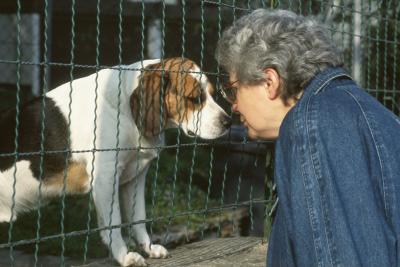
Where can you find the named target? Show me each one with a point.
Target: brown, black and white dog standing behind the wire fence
(103, 112)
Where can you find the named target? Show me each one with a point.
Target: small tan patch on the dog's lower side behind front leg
(76, 179)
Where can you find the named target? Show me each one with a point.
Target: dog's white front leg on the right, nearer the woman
(134, 210)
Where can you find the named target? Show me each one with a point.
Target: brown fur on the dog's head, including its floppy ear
(181, 94)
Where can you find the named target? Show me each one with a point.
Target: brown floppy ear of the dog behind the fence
(147, 101)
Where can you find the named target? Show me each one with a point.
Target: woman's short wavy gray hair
(296, 47)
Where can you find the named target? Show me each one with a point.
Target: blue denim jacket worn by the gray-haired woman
(337, 170)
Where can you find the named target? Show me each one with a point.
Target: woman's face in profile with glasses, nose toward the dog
(260, 107)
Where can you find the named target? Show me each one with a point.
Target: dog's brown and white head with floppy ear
(175, 93)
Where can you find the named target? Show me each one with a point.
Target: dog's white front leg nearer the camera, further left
(105, 196)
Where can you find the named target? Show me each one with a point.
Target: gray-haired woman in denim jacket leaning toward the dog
(337, 151)
